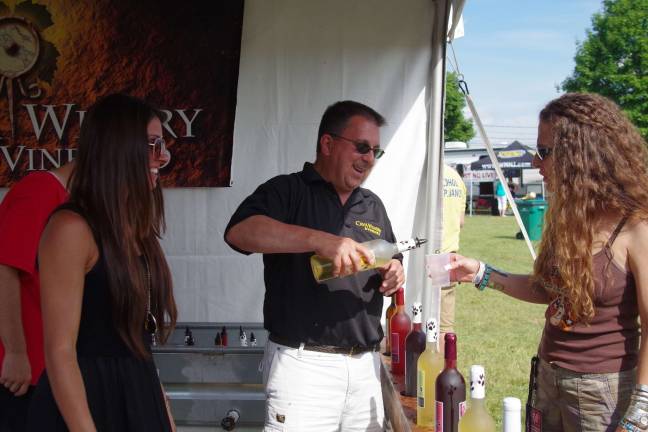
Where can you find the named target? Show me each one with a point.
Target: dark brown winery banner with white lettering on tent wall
(58, 58)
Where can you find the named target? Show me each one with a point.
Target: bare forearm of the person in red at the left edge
(11, 328)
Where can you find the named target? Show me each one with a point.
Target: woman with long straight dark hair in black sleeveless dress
(106, 290)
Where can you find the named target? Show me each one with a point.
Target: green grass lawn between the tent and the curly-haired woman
(494, 330)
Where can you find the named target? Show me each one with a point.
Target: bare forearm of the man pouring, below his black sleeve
(262, 234)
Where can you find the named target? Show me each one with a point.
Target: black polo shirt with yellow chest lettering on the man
(341, 312)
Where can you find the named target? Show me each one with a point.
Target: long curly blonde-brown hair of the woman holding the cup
(599, 166)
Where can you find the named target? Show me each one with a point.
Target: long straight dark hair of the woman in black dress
(111, 186)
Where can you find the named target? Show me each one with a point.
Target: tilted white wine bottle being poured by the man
(382, 250)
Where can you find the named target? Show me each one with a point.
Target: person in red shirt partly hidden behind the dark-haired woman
(23, 214)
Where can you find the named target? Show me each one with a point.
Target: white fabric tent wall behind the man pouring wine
(298, 57)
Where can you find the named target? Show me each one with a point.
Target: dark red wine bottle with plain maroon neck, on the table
(450, 390)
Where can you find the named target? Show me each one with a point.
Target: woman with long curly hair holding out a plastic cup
(591, 374)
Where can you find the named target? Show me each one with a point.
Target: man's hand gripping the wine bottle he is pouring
(346, 254)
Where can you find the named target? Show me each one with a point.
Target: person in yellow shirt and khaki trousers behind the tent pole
(454, 210)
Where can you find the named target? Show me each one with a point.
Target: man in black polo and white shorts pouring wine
(322, 362)
